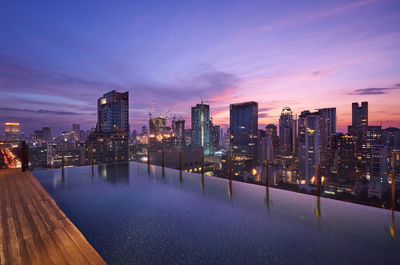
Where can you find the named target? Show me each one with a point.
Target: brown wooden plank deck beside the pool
(33, 229)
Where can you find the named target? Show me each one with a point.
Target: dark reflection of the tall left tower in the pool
(114, 173)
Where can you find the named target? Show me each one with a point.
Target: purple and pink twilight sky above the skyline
(57, 58)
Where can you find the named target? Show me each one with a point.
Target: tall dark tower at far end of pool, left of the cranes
(110, 141)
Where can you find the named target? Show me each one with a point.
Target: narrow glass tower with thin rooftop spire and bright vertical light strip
(201, 127)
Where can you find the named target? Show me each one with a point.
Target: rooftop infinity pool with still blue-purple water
(132, 216)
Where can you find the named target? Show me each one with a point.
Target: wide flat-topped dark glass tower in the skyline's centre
(243, 136)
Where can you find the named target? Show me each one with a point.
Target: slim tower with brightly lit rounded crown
(287, 133)
